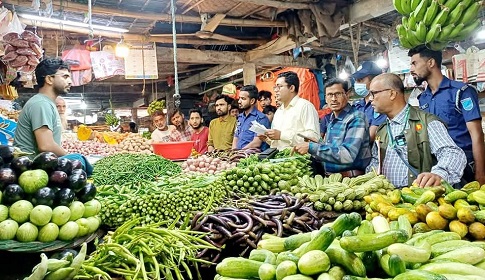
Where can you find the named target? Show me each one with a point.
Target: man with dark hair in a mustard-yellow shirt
(221, 130)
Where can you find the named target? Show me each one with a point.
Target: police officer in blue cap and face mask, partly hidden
(363, 77)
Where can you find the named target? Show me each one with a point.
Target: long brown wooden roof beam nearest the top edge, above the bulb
(79, 8)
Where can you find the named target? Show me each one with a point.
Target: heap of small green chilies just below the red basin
(127, 168)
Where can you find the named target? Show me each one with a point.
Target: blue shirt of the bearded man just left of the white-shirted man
(243, 134)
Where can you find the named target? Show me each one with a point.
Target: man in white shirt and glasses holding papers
(295, 115)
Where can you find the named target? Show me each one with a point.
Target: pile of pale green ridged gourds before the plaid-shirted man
(337, 193)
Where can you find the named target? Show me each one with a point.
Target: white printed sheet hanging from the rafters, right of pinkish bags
(141, 62)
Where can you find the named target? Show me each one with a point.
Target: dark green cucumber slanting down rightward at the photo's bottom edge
(348, 260)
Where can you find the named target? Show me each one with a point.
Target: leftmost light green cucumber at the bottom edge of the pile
(238, 268)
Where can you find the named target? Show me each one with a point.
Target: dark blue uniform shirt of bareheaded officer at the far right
(443, 105)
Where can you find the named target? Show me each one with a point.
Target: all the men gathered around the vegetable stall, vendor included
(441, 140)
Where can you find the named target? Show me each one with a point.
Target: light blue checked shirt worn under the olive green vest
(451, 159)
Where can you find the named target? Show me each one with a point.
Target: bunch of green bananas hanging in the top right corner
(436, 22)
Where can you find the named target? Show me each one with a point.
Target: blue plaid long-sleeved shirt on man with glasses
(346, 143)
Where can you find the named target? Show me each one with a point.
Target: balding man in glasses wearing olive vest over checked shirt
(412, 146)
